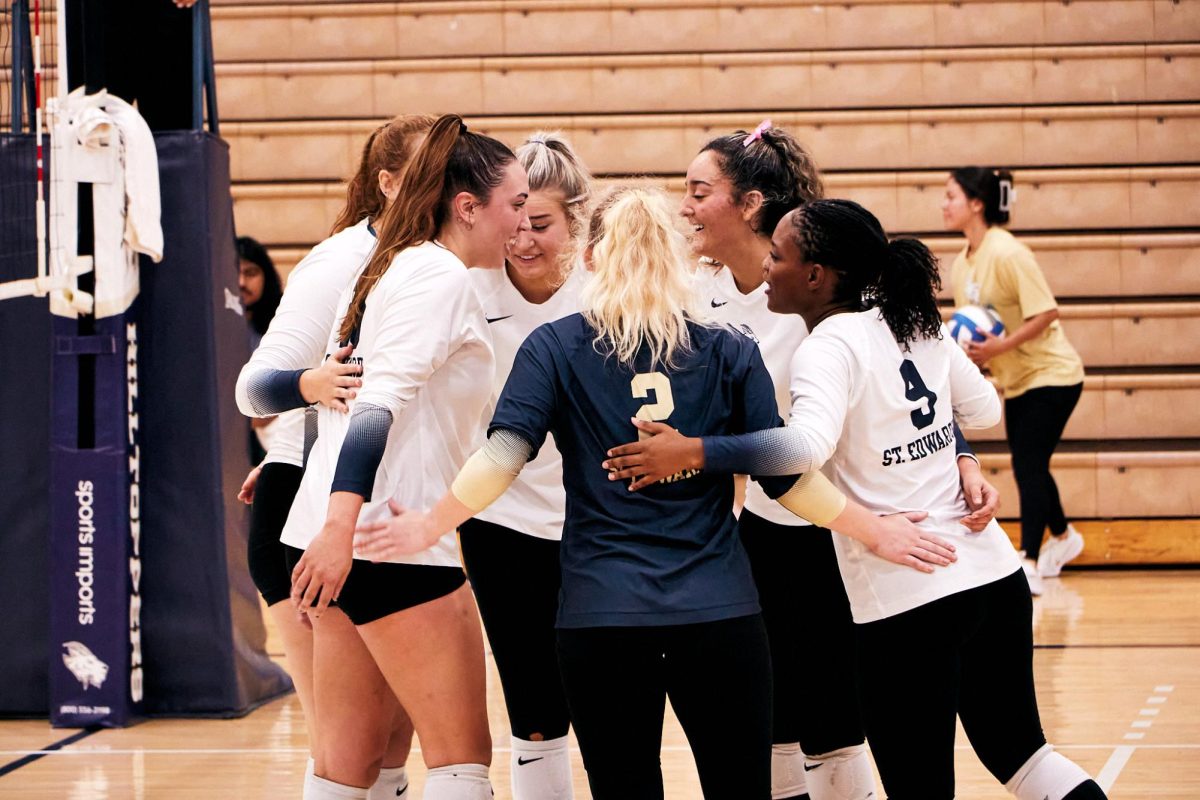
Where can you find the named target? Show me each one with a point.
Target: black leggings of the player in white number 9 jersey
(969, 654)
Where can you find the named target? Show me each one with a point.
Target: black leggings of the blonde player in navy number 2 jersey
(718, 677)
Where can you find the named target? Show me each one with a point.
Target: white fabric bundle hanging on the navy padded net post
(103, 141)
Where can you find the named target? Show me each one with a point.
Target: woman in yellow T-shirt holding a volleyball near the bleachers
(1036, 368)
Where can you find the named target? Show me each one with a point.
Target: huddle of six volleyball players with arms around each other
(472, 302)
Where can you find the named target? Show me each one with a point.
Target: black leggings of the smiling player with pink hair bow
(812, 634)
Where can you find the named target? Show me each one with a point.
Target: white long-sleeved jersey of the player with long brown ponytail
(427, 358)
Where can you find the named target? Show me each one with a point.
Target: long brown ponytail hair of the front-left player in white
(452, 160)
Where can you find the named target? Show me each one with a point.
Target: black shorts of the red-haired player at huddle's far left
(277, 489)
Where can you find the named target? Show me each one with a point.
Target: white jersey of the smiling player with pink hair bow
(778, 338)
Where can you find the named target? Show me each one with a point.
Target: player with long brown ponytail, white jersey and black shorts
(425, 352)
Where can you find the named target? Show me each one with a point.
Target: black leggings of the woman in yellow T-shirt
(1035, 423)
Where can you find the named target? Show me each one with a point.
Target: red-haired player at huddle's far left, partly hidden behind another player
(296, 341)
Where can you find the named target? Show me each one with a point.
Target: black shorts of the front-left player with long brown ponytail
(376, 591)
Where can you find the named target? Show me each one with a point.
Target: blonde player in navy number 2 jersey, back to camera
(657, 599)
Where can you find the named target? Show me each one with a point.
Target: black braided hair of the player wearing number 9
(899, 278)
